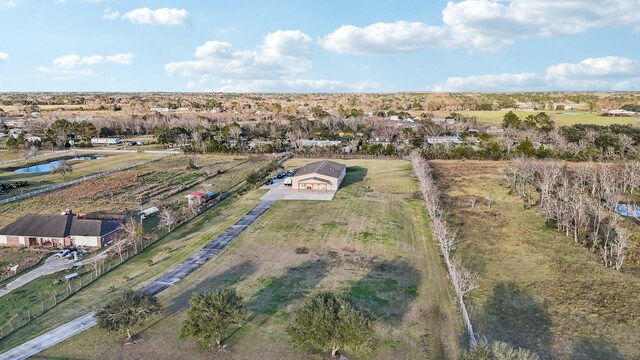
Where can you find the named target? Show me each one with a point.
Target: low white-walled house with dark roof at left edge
(60, 231)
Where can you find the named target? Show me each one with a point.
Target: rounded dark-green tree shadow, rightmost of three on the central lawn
(387, 290)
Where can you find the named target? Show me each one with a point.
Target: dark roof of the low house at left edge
(58, 226)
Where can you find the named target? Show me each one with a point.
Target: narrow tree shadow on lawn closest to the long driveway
(227, 278)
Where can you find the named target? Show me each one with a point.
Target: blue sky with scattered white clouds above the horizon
(319, 45)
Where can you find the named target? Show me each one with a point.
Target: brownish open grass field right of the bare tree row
(538, 289)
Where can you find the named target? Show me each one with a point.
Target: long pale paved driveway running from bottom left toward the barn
(174, 275)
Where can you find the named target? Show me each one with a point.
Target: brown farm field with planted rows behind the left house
(121, 191)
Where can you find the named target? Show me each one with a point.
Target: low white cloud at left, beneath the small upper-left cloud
(73, 65)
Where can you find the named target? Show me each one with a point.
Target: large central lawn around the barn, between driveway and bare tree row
(372, 242)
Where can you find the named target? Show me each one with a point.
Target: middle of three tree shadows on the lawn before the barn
(279, 292)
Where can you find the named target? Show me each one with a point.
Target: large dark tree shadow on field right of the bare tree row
(514, 316)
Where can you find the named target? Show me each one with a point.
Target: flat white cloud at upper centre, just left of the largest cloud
(383, 38)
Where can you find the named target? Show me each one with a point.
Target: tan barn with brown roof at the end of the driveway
(323, 175)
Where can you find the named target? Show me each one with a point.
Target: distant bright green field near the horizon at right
(561, 118)
